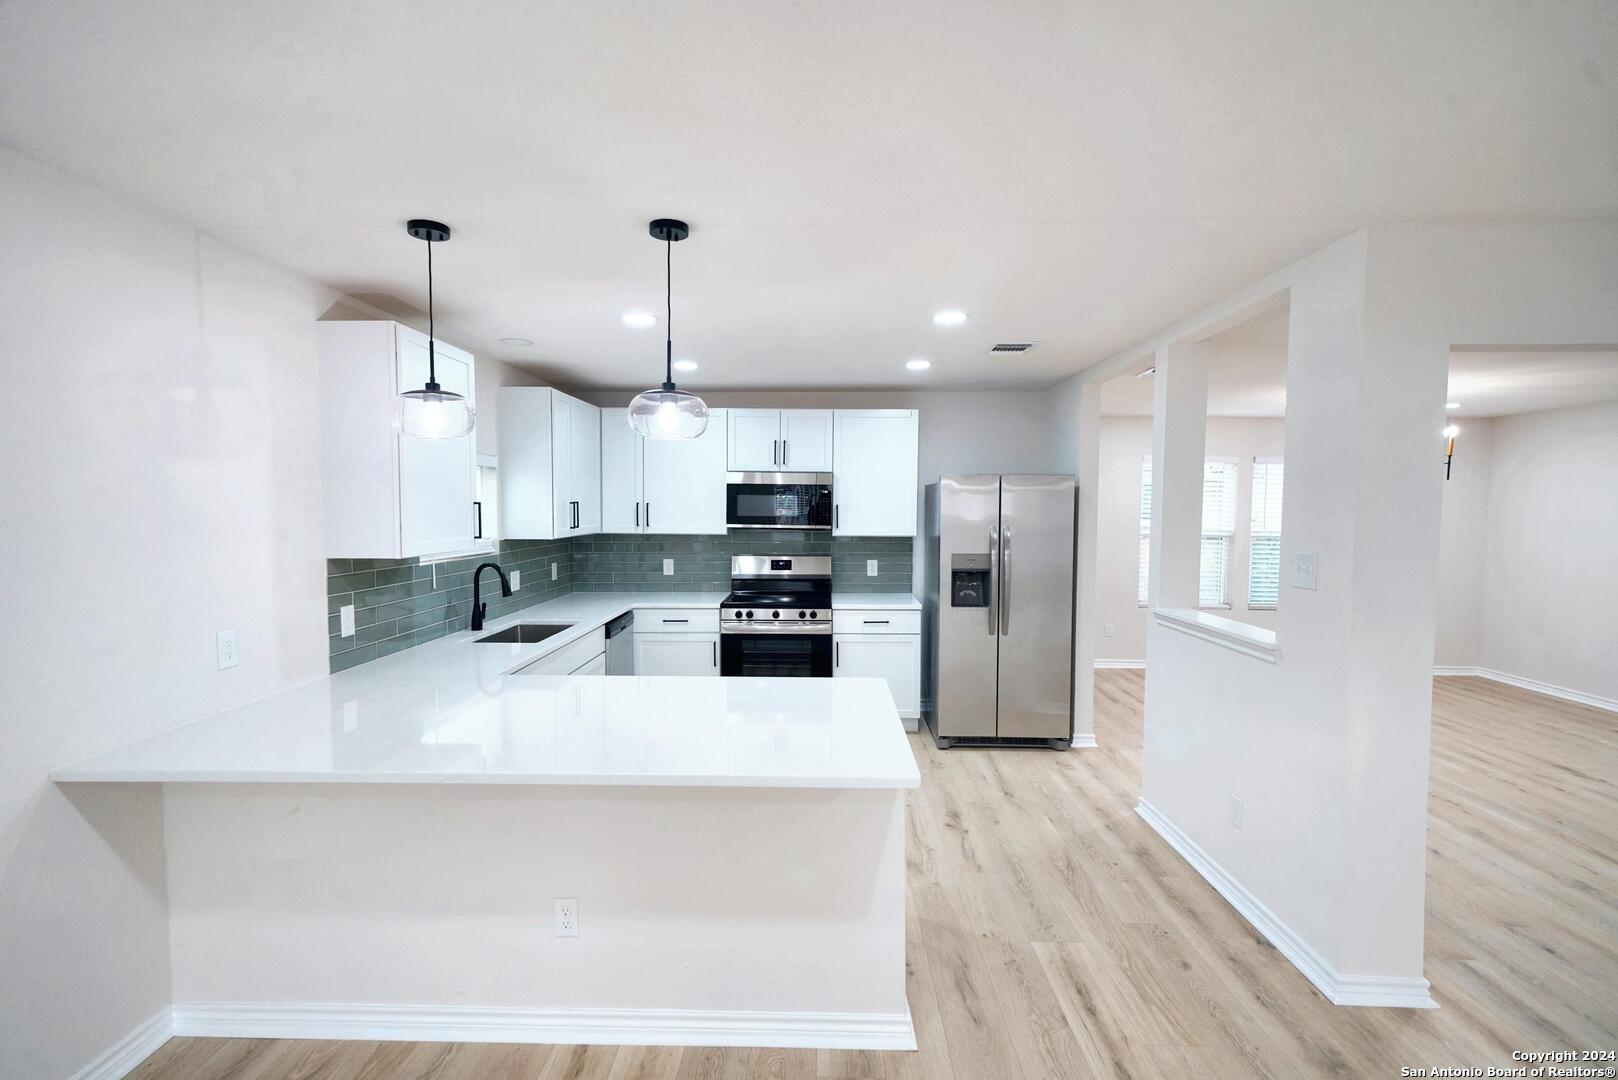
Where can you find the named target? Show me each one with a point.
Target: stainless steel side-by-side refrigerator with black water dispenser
(997, 650)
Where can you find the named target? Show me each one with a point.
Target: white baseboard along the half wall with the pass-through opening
(1341, 990)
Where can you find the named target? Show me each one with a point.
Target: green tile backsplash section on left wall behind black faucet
(400, 603)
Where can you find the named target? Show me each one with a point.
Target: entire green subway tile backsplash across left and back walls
(400, 603)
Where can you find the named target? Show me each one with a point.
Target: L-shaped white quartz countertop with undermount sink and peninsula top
(451, 713)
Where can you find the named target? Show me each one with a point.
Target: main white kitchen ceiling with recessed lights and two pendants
(1072, 174)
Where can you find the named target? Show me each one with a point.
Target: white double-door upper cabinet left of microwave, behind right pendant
(663, 487)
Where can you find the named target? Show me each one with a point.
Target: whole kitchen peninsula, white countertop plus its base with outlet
(438, 846)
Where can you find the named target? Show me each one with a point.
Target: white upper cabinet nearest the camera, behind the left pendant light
(389, 496)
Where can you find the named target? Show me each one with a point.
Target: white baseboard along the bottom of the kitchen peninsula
(622, 1027)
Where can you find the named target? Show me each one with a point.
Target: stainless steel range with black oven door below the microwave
(777, 619)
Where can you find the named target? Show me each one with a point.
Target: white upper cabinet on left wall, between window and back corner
(551, 466)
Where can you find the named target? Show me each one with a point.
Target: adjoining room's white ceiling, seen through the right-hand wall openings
(1248, 376)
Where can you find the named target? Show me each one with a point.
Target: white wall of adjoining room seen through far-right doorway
(1530, 529)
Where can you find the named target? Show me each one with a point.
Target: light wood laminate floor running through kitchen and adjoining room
(1054, 935)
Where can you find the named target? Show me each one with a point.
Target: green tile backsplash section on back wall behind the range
(617, 564)
